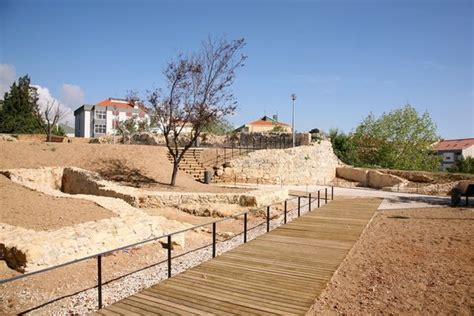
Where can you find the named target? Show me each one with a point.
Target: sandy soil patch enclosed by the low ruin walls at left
(22, 207)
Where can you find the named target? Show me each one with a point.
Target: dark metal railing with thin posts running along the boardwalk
(169, 239)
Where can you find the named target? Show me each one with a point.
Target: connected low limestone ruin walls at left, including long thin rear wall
(29, 250)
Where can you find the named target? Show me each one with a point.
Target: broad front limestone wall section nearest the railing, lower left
(29, 250)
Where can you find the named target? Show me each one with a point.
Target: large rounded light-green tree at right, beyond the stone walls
(400, 139)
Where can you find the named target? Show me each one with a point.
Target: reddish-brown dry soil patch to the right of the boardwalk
(417, 261)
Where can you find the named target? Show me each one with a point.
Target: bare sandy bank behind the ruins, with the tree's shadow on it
(134, 165)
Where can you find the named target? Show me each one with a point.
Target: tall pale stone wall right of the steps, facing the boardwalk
(300, 165)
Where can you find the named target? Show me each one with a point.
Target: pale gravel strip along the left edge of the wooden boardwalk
(86, 301)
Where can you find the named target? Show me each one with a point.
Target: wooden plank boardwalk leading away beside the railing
(281, 272)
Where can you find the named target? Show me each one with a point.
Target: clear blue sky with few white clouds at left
(342, 58)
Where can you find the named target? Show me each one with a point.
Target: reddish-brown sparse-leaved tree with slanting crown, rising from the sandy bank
(197, 93)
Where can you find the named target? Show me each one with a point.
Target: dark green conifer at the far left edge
(20, 111)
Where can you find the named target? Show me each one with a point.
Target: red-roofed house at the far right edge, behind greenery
(452, 149)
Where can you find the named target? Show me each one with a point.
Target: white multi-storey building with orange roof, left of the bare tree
(102, 118)
